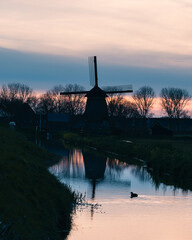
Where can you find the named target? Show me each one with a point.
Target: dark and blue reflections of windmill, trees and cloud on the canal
(99, 176)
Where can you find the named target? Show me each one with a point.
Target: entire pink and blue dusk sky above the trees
(140, 42)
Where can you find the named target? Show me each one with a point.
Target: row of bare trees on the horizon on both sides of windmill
(173, 101)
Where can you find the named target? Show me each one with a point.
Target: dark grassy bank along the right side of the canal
(164, 157)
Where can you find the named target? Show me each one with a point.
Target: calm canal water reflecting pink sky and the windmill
(160, 213)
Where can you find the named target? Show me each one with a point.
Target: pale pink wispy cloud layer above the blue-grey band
(149, 33)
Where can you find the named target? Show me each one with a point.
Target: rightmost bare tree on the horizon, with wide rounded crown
(173, 102)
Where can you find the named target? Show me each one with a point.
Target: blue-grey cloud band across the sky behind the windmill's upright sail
(43, 71)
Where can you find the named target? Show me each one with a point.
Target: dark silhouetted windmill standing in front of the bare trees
(96, 106)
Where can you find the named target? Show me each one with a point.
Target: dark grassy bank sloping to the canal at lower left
(33, 204)
